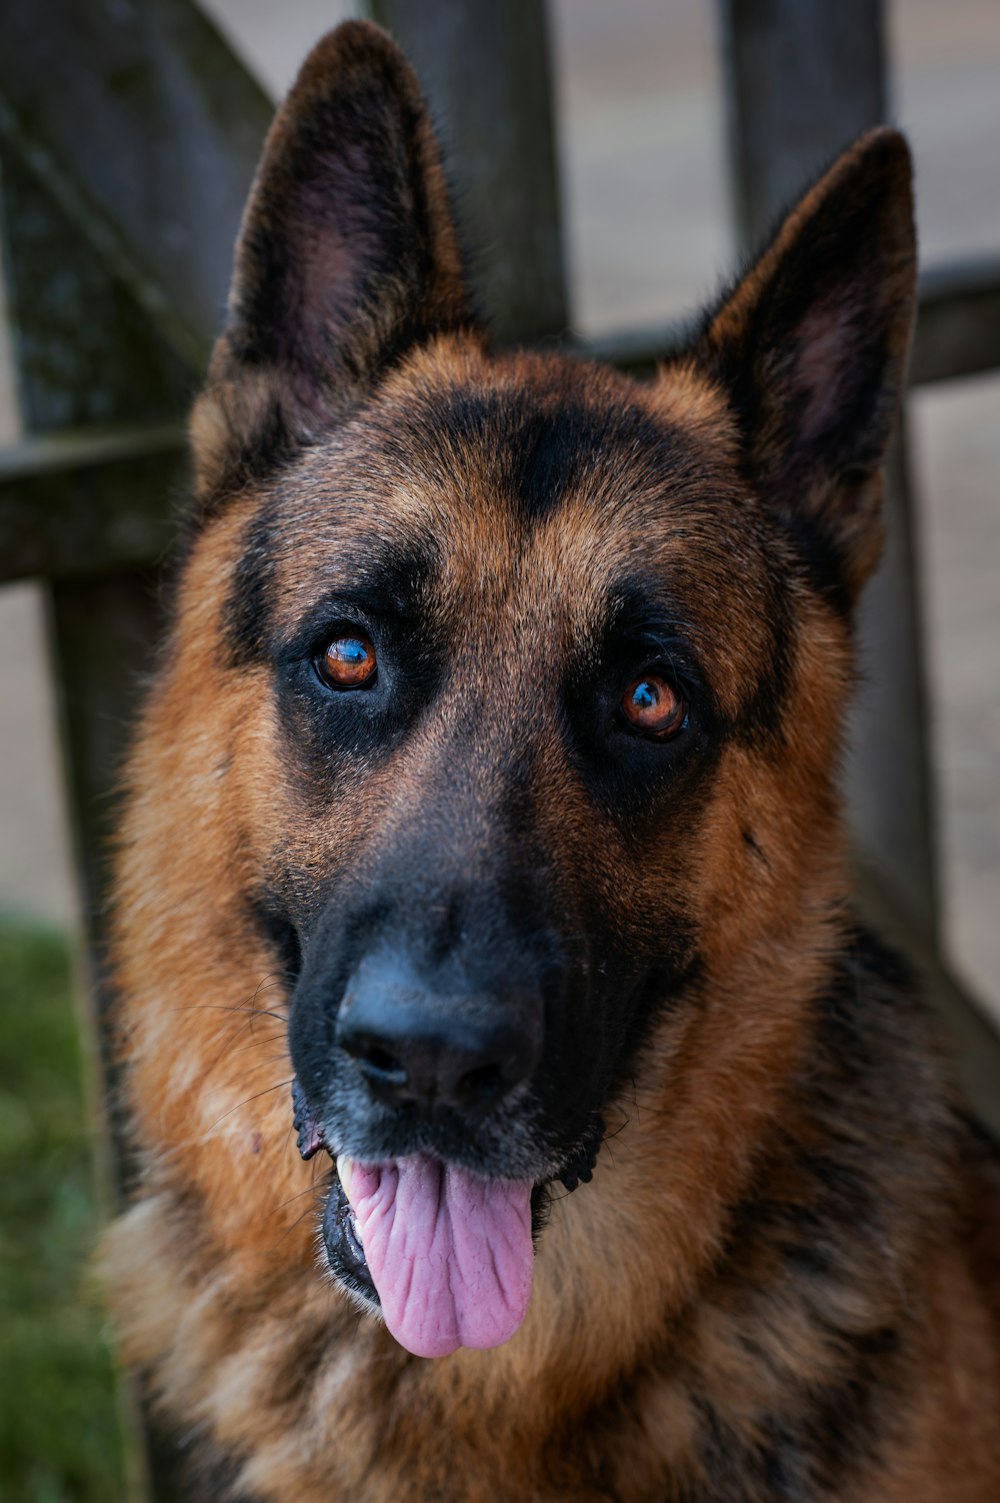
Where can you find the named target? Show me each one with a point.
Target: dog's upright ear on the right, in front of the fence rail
(811, 349)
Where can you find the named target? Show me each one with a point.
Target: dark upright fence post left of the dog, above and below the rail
(102, 631)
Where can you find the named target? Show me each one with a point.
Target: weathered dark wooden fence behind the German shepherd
(129, 136)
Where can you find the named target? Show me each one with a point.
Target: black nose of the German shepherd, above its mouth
(414, 1047)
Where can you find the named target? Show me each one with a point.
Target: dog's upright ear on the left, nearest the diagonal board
(348, 256)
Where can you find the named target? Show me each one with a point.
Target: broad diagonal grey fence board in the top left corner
(147, 129)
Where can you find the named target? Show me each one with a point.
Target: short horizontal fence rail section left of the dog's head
(91, 503)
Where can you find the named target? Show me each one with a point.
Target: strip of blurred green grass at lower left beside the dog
(61, 1436)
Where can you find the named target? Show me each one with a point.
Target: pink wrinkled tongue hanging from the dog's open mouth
(450, 1254)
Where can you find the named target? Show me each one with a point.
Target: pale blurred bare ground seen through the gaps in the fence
(647, 235)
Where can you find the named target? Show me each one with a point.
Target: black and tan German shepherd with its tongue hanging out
(485, 848)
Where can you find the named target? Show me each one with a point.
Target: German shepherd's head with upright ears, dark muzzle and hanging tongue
(541, 674)
